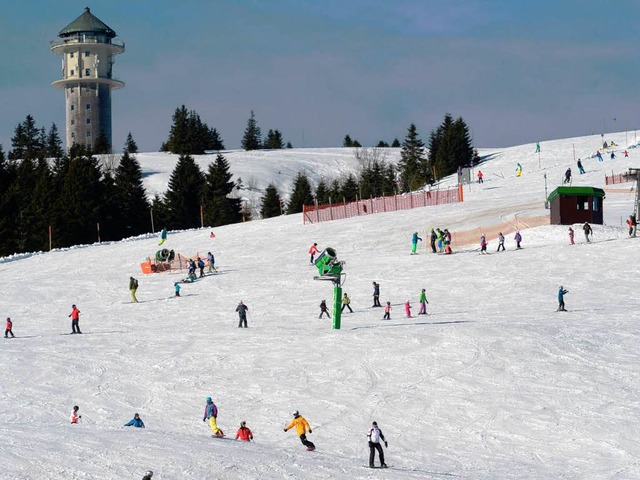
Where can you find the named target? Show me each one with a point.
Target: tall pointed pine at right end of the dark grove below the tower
(132, 199)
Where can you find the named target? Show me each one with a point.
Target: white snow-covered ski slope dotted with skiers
(492, 384)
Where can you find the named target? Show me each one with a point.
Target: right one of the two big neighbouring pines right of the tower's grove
(219, 209)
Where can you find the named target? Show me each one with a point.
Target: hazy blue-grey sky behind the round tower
(516, 71)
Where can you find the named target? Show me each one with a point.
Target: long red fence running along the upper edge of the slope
(336, 211)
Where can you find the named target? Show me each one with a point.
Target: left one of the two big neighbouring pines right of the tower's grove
(184, 195)
